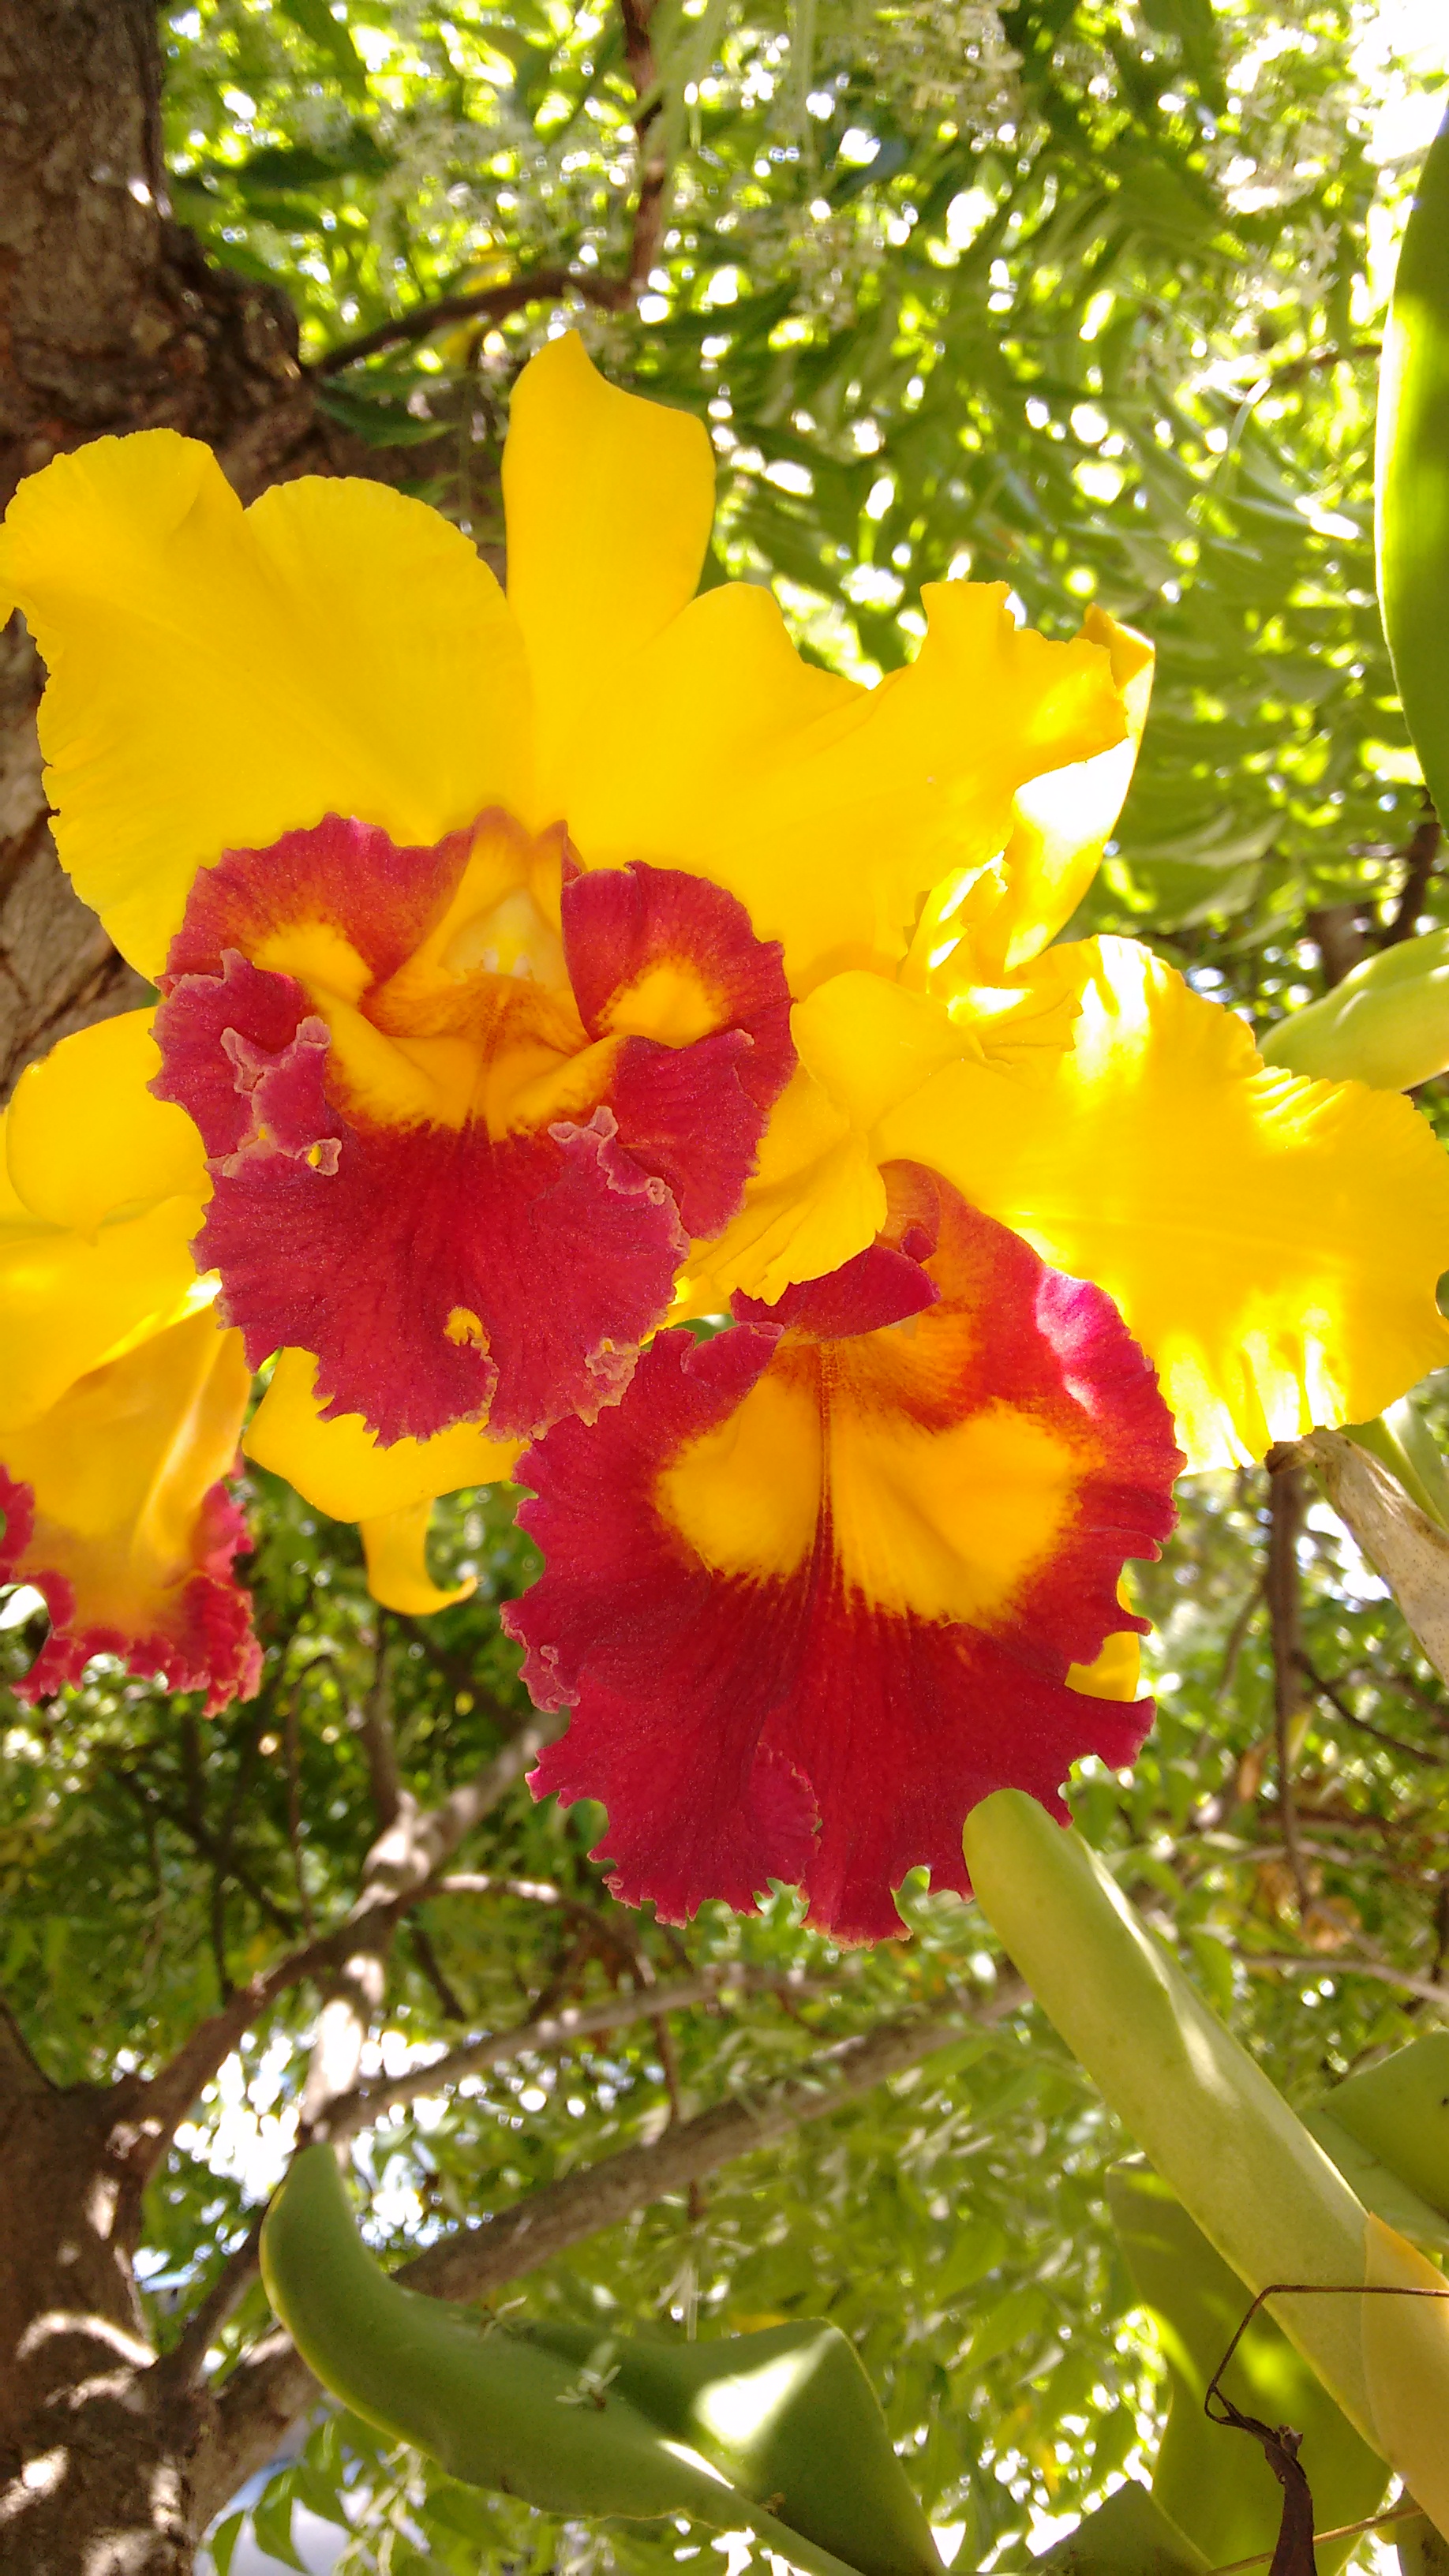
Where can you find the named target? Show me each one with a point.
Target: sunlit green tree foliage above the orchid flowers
(1066, 295)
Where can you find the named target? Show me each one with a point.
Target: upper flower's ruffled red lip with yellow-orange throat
(460, 1106)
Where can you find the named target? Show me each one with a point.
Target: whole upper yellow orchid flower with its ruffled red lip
(478, 918)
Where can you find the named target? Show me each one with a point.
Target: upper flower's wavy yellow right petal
(824, 808)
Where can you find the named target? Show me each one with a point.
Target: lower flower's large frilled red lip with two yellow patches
(813, 1591)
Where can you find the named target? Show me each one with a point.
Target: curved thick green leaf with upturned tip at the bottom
(772, 2433)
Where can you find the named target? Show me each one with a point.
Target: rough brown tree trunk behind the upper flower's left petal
(112, 318)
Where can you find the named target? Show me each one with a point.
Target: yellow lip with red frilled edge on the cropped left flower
(117, 1513)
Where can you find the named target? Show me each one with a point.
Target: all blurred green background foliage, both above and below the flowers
(1087, 300)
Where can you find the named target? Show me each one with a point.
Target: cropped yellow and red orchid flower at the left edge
(120, 1392)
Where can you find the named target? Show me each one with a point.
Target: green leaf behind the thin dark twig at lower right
(1213, 2482)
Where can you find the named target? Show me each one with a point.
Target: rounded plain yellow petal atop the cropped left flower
(86, 1140)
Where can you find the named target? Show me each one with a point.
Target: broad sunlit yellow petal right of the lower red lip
(1272, 1243)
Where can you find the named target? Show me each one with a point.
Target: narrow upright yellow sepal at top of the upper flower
(610, 504)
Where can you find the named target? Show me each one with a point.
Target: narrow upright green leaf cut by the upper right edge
(1414, 473)
